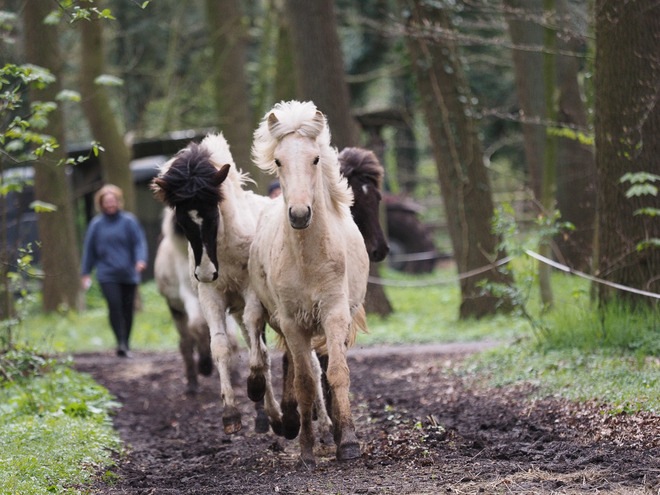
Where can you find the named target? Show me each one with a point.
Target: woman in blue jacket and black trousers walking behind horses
(115, 244)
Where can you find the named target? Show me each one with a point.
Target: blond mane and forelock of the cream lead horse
(295, 116)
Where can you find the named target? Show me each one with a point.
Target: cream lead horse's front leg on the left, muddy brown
(305, 386)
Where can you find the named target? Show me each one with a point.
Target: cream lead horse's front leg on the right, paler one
(337, 328)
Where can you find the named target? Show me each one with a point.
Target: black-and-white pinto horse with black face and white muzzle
(219, 218)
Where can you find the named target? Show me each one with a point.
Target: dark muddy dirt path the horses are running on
(493, 440)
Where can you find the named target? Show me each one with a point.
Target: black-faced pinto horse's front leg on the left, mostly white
(213, 308)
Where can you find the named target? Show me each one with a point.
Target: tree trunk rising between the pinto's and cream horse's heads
(228, 40)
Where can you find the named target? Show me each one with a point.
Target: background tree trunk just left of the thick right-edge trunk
(576, 189)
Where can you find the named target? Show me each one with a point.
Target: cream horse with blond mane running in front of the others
(308, 262)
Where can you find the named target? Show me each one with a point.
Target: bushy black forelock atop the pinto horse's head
(190, 177)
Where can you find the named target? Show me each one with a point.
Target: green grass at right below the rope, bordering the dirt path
(582, 353)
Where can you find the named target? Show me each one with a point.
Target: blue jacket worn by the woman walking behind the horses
(114, 244)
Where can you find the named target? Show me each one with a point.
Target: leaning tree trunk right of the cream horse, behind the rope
(464, 182)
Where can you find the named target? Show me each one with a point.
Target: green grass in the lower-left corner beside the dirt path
(55, 432)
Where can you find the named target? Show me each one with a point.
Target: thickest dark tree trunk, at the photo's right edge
(627, 140)
